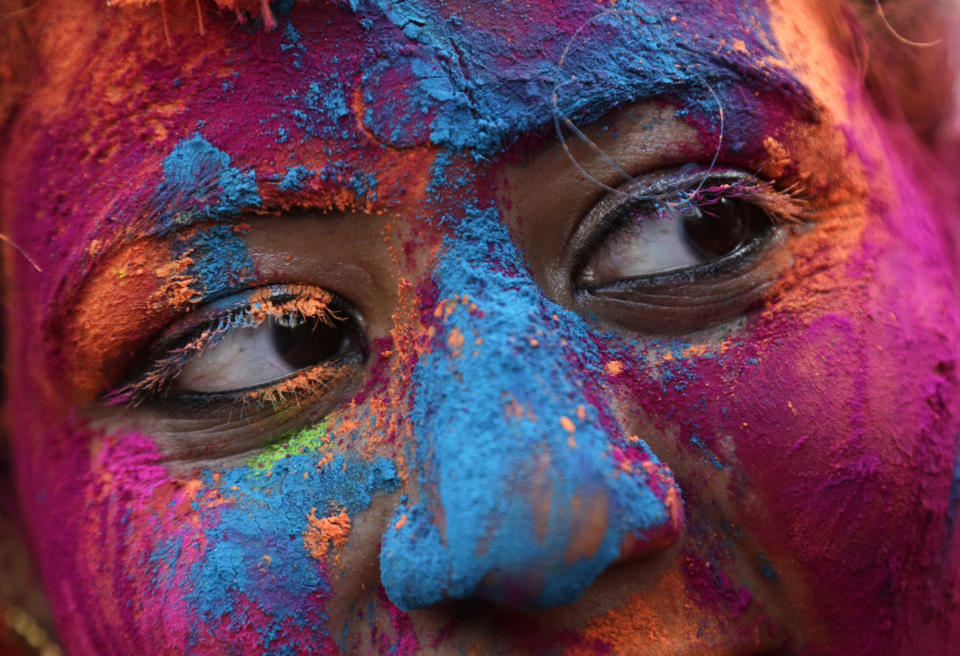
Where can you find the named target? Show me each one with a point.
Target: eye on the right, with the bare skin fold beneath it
(676, 252)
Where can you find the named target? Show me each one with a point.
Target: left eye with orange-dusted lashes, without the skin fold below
(271, 346)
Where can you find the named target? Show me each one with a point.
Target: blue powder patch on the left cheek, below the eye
(268, 517)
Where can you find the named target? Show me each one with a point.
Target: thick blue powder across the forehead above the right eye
(481, 91)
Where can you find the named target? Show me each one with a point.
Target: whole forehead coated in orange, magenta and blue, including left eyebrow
(345, 104)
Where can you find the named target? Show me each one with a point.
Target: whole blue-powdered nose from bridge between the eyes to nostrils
(522, 487)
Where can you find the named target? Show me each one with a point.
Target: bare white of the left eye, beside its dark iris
(243, 357)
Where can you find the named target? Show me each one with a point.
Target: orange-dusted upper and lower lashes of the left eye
(288, 305)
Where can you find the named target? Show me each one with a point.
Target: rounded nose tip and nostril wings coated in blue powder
(536, 539)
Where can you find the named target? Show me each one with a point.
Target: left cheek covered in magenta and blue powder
(246, 557)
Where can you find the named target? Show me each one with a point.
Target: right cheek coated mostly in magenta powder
(828, 425)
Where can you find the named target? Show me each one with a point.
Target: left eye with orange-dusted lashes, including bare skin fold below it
(244, 366)
